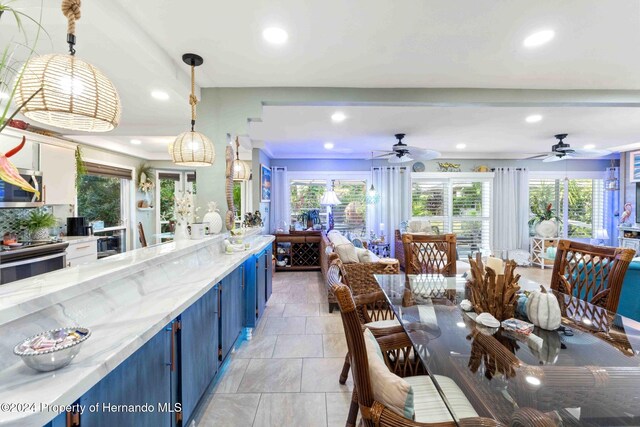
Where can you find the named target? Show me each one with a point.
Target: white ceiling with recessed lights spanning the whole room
(359, 43)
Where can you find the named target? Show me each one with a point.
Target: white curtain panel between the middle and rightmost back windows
(510, 211)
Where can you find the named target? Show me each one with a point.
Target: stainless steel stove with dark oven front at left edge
(31, 259)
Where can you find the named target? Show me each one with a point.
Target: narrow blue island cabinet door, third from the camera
(231, 309)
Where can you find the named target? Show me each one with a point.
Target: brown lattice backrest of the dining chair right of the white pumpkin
(591, 273)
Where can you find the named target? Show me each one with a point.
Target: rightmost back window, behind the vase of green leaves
(578, 202)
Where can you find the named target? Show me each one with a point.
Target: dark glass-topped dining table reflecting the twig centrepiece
(587, 372)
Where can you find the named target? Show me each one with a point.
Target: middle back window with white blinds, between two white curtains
(456, 205)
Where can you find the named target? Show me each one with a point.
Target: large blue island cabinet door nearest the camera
(143, 378)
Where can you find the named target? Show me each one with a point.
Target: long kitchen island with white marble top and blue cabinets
(163, 319)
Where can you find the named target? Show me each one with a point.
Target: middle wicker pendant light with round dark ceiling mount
(192, 148)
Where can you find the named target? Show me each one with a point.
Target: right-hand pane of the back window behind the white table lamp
(351, 214)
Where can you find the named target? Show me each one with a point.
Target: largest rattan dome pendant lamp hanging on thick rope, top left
(69, 92)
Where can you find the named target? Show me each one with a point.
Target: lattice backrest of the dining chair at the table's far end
(430, 254)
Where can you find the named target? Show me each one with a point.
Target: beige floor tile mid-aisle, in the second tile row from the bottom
(272, 376)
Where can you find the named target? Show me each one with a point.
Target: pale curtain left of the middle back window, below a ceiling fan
(394, 187)
